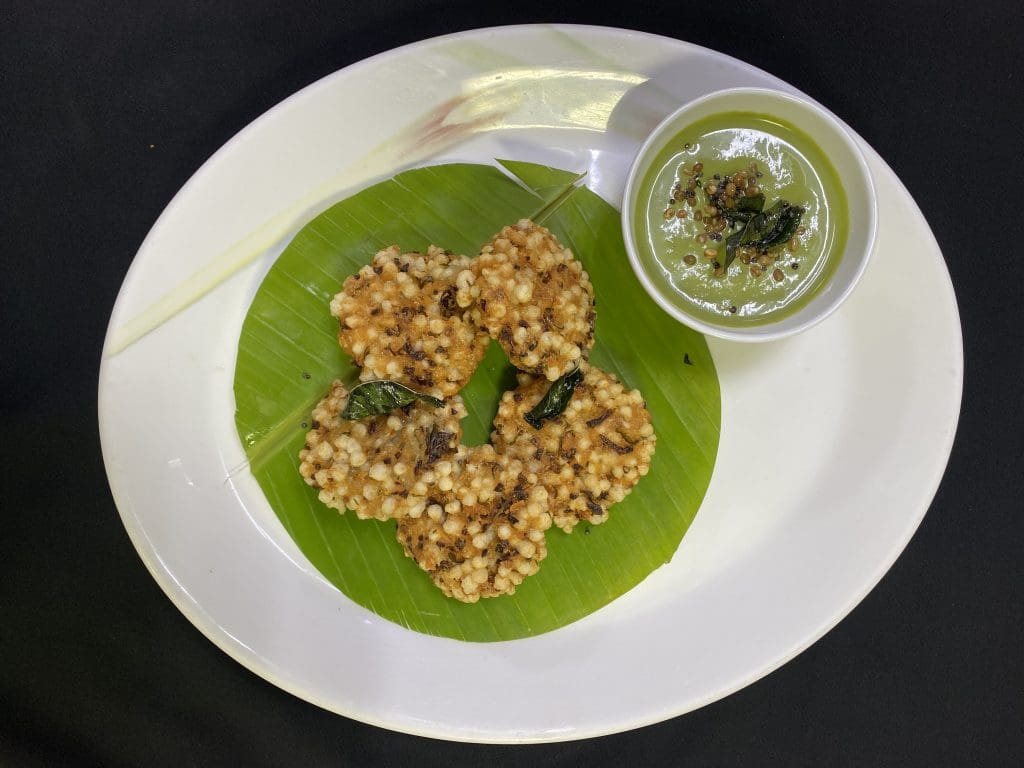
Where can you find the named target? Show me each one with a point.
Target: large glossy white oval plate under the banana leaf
(833, 443)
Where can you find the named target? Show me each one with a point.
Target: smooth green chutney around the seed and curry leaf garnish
(794, 168)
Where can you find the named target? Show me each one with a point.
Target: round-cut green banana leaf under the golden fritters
(289, 356)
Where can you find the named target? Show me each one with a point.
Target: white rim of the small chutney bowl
(770, 331)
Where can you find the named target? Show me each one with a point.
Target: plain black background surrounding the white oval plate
(99, 668)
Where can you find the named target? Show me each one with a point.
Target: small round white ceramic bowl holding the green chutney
(829, 133)
